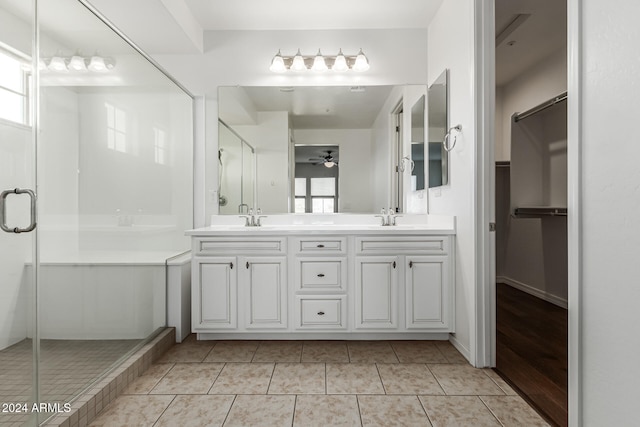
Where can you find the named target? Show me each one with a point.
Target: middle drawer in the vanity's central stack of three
(318, 274)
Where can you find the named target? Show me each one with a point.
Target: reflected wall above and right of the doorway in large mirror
(354, 183)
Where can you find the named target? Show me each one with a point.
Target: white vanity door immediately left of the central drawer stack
(264, 287)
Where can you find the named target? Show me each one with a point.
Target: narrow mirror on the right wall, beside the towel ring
(438, 120)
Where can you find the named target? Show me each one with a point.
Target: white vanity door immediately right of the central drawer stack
(376, 292)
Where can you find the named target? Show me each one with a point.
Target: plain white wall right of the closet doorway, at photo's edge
(606, 290)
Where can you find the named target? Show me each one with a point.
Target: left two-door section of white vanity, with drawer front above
(239, 284)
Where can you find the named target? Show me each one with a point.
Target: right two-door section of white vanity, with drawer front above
(419, 274)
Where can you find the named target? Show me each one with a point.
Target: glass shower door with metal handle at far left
(17, 171)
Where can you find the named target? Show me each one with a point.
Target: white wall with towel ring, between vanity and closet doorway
(451, 45)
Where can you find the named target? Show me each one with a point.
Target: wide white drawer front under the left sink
(240, 246)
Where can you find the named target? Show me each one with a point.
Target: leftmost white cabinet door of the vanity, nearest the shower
(214, 294)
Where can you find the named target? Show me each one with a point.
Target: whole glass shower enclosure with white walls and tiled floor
(96, 182)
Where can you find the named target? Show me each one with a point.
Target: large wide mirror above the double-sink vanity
(297, 130)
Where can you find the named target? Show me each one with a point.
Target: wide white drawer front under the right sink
(436, 245)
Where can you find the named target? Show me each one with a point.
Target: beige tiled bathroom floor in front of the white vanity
(317, 383)
